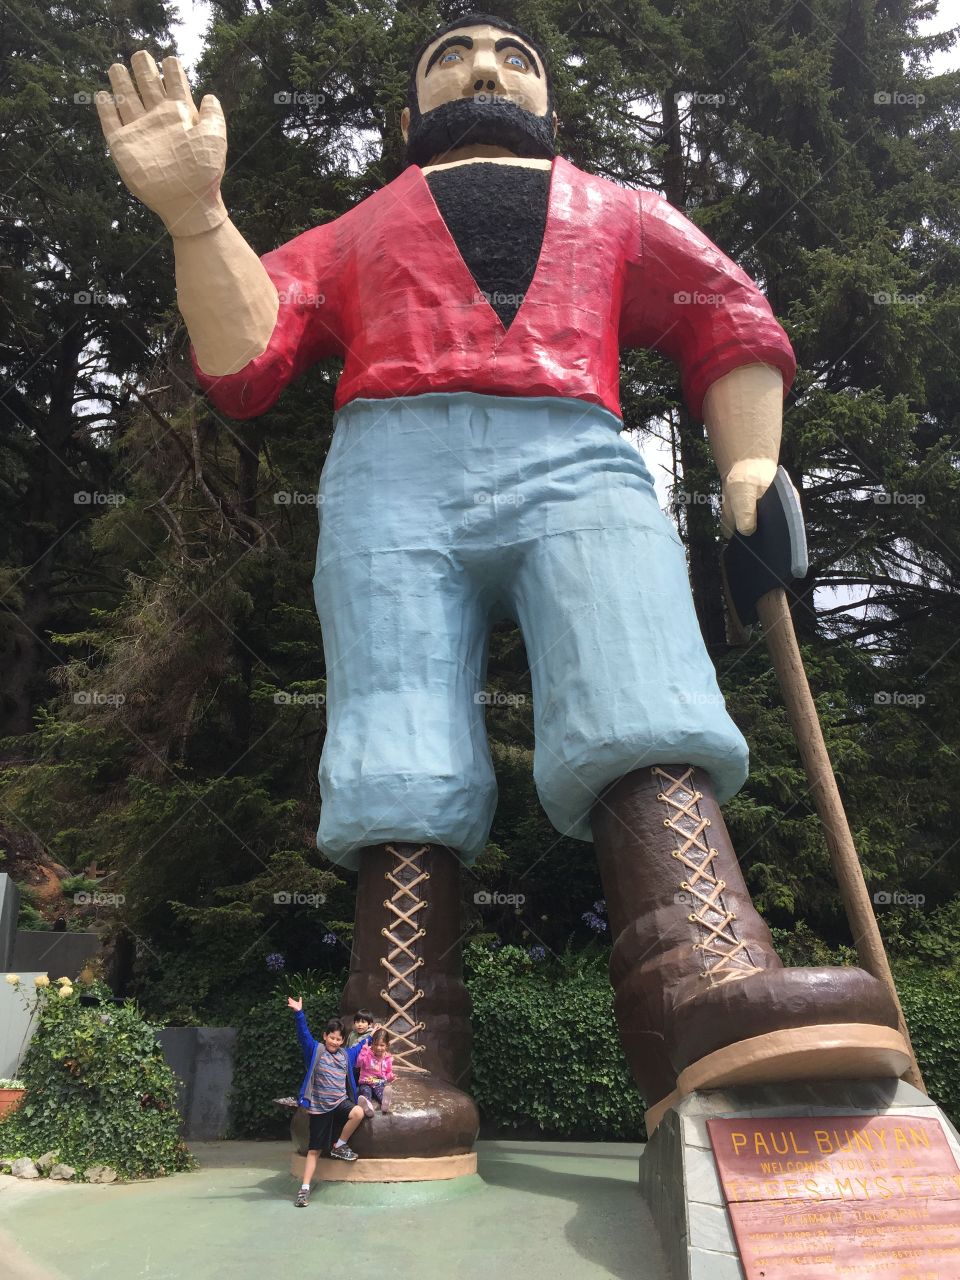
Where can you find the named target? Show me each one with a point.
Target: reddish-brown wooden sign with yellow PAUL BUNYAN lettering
(825, 1197)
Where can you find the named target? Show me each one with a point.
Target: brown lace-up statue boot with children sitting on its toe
(406, 968)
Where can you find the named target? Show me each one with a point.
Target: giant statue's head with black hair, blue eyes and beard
(479, 86)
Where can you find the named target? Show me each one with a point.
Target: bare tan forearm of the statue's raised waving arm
(227, 299)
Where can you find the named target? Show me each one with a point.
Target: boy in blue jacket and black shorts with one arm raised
(328, 1092)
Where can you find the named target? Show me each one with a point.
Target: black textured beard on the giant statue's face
(468, 121)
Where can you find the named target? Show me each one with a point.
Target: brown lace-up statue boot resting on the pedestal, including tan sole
(702, 998)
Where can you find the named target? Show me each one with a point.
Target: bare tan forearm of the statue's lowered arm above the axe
(744, 415)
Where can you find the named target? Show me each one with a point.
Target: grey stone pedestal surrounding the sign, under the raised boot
(679, 1176)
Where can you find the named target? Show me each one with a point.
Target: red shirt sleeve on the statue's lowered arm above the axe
(685, 299)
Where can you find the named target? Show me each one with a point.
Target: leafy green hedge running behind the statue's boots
(547, 1058)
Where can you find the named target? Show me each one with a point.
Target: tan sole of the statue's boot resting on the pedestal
(839, 1052)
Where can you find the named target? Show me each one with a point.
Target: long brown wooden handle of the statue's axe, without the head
(779, 630)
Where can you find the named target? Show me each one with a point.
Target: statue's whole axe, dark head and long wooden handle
(757, 573)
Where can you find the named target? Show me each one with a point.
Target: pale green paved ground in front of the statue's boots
(536, 1212)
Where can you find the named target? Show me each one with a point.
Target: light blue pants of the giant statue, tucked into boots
(446, 513)
